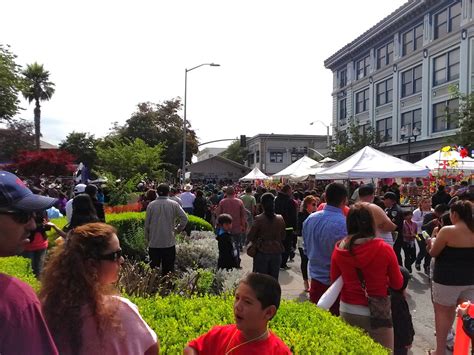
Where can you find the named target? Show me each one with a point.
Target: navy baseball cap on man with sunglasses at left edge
(15, 195)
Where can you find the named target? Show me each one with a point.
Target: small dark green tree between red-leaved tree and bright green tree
(83, 146)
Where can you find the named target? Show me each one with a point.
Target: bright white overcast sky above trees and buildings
(107, 56)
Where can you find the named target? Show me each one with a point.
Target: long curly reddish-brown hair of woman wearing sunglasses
(70, 283)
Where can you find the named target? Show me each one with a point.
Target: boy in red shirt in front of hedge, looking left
(256, 302)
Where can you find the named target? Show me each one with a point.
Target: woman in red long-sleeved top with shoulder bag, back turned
(378, 263)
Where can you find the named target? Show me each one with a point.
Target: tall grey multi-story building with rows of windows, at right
(396, 77)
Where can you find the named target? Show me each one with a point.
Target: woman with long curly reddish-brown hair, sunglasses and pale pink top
(80, 301)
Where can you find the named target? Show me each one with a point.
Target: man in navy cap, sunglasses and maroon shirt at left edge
(23, 329)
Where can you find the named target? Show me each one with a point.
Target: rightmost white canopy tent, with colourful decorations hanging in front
(439, 161)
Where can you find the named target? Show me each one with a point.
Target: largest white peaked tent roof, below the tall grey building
(371, 163)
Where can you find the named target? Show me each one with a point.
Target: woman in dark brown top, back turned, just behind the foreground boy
(267, 232)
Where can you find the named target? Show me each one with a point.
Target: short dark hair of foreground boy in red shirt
(266, 288)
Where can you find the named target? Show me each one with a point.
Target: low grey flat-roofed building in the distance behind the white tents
(272, 153)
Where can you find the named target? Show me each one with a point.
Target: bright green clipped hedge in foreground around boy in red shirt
(305, 328)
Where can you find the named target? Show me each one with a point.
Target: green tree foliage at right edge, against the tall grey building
(465, 117)
